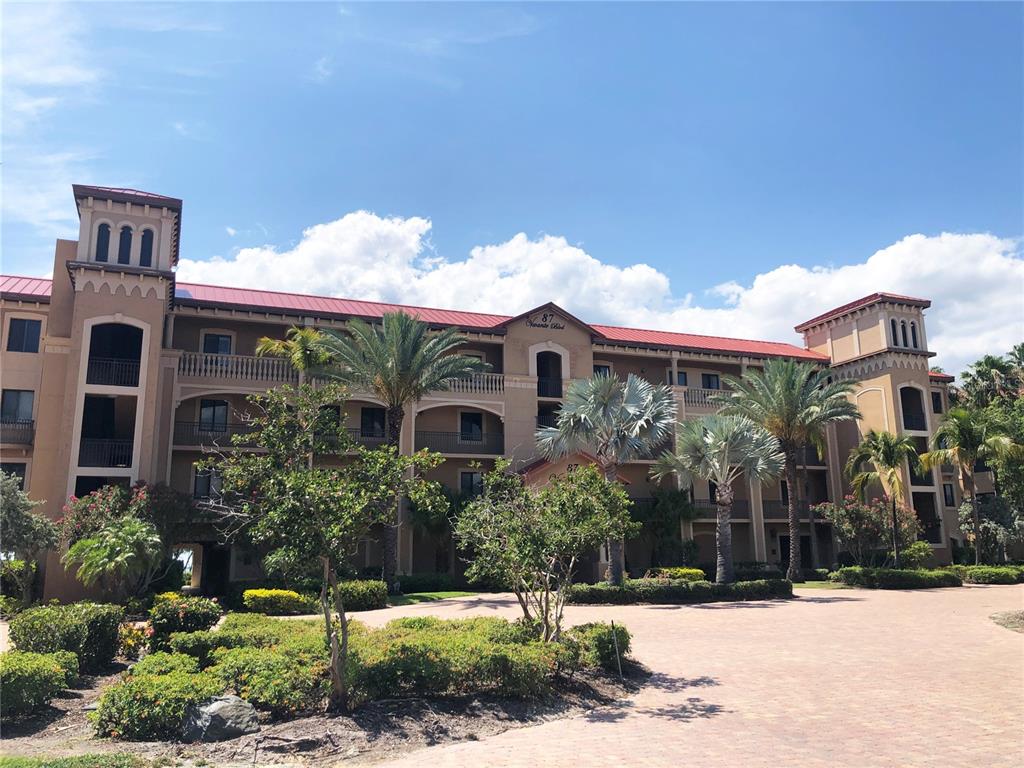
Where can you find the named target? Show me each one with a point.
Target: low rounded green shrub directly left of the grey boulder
(150, 708)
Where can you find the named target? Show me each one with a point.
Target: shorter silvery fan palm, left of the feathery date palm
(721, 449)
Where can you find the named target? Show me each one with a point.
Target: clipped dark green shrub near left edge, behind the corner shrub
(89, 630)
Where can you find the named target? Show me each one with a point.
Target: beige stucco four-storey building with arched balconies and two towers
(114, 372)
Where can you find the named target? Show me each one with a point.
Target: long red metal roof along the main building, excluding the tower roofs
(303, 305)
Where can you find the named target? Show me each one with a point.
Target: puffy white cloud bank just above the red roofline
(976, 283)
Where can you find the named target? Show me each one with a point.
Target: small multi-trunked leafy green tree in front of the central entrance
(533, 540)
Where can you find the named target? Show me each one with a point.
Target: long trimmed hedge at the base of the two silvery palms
(660, 591)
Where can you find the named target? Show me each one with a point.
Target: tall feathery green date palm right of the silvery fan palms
(795, 402)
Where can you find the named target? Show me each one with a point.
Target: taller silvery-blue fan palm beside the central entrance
(617, 422)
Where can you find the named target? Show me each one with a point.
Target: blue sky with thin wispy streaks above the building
(711, 143)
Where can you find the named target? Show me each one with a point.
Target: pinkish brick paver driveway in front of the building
(836, 678)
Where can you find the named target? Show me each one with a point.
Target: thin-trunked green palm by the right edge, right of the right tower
(964, 439)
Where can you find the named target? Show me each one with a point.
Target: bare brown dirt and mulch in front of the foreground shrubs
(376, 732)
